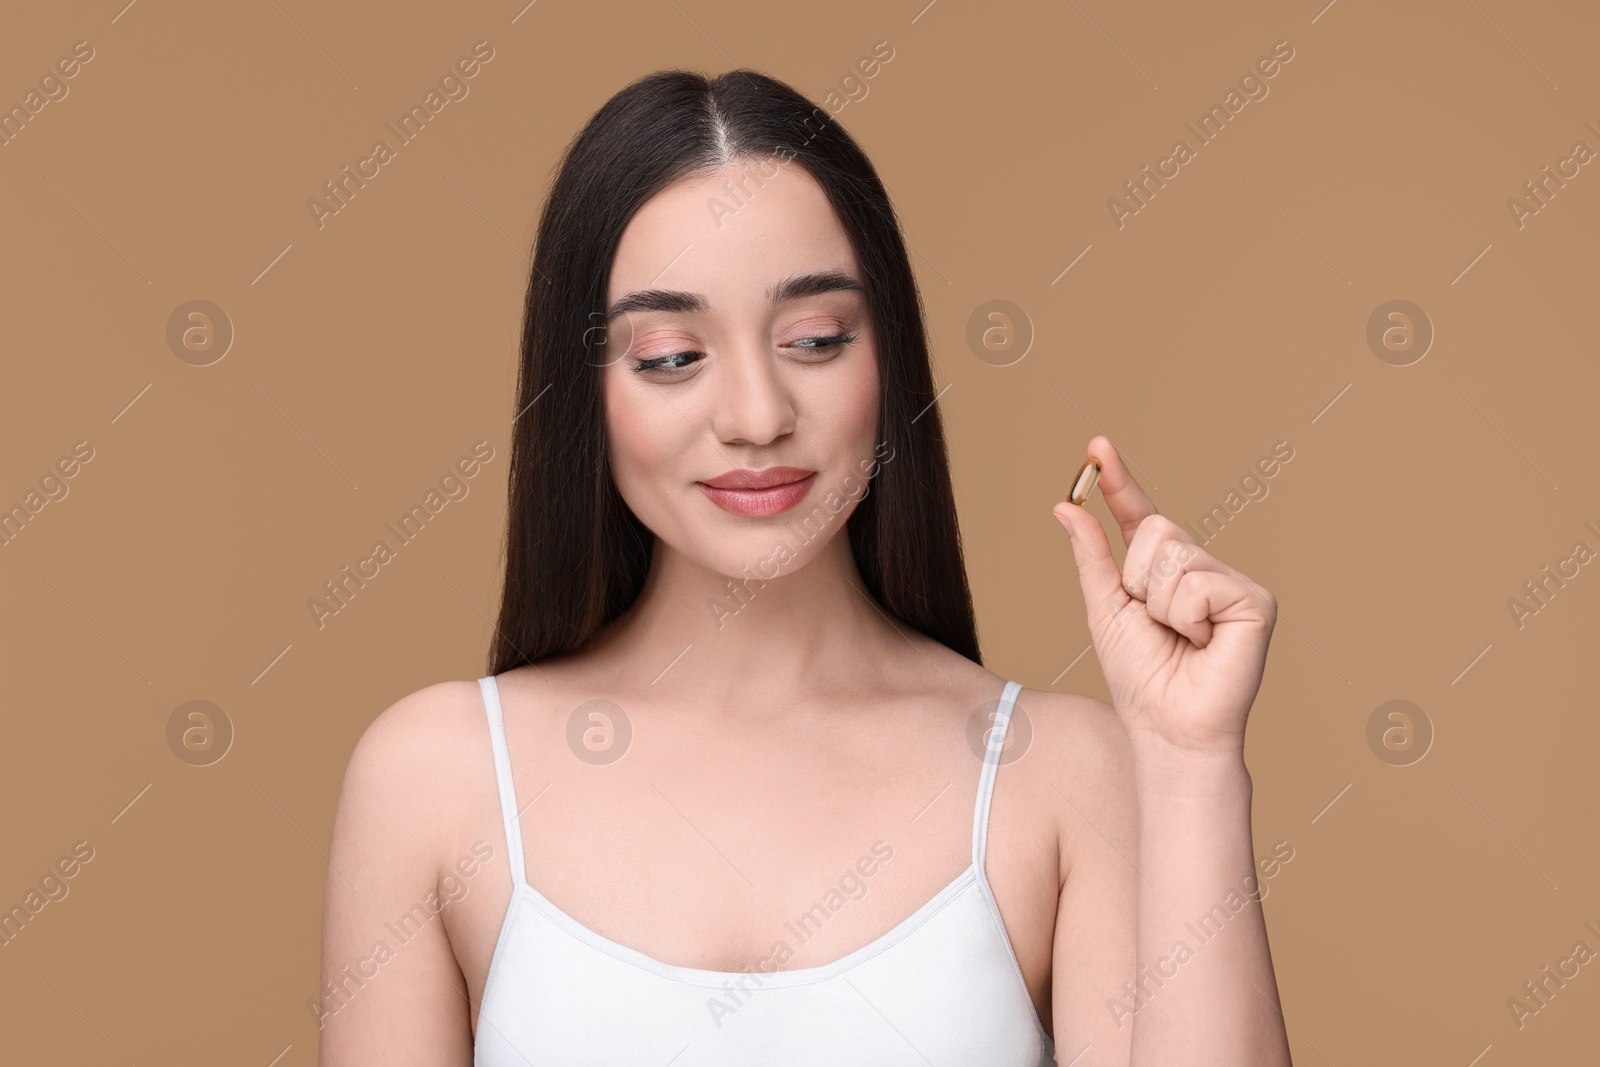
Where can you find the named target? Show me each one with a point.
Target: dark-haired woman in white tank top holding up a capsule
(738, 788)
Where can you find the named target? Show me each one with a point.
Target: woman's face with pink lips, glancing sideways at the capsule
(738, 340)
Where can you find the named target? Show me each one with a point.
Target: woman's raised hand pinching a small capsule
(1182, 636)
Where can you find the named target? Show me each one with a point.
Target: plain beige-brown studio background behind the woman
(1228, 316)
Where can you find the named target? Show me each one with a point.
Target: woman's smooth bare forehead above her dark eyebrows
(730, 234)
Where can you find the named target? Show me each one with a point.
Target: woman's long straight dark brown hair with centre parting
(575, 553)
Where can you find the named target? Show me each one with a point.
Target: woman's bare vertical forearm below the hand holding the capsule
(1204, 993)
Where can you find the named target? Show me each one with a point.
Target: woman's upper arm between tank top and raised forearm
(1097, 919)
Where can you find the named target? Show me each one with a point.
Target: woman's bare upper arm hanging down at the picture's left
(385, 999)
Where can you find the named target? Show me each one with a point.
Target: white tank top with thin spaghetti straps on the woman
(942, 988)
